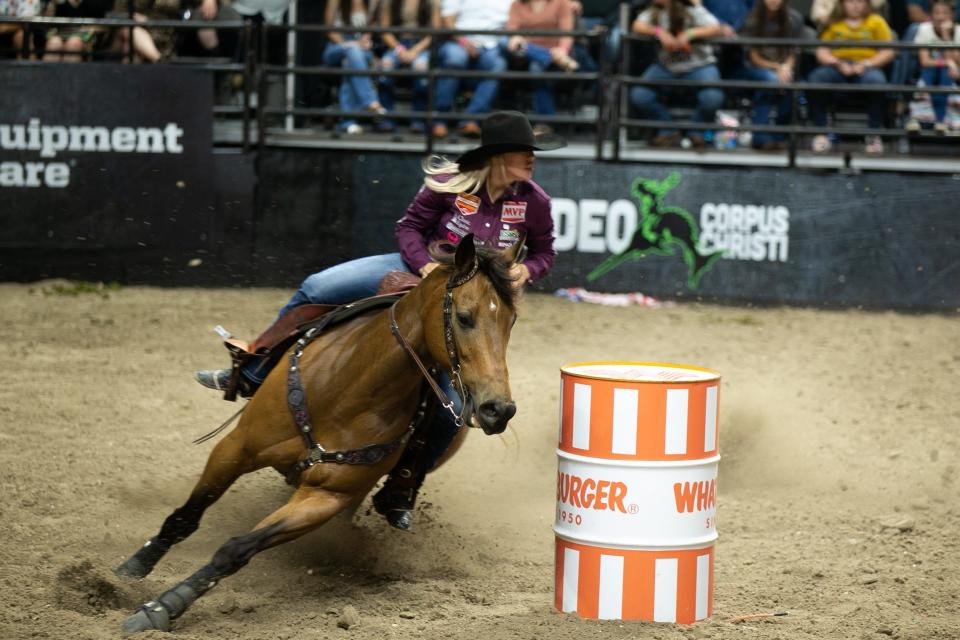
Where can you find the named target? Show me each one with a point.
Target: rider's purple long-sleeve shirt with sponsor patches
(523, 209)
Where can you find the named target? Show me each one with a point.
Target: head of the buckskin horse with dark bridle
(479, 312)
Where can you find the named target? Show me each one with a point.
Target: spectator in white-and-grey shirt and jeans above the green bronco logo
(682, 29)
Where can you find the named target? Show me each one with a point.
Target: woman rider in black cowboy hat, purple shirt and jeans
(488, 192)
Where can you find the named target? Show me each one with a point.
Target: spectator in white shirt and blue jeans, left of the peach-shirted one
(469, 51)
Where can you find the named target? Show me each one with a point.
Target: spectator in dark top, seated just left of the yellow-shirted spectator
(776, 65)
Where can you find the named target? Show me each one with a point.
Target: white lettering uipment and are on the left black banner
(50, 140)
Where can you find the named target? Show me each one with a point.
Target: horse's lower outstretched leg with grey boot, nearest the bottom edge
(307, 509)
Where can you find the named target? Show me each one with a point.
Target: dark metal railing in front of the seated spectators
(610, 118)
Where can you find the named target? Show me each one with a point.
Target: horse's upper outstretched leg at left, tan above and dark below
(226, 463)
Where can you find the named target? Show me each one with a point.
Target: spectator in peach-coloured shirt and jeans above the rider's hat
(540, 53)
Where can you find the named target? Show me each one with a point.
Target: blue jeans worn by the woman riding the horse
(351, 281)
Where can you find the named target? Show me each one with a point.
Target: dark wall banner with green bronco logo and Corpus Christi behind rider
(763, 235)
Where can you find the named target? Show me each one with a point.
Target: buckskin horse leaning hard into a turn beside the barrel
(361, 382)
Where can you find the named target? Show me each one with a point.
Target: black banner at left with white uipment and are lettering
(105, 170)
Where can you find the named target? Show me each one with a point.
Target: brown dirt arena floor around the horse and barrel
(839, 431)
